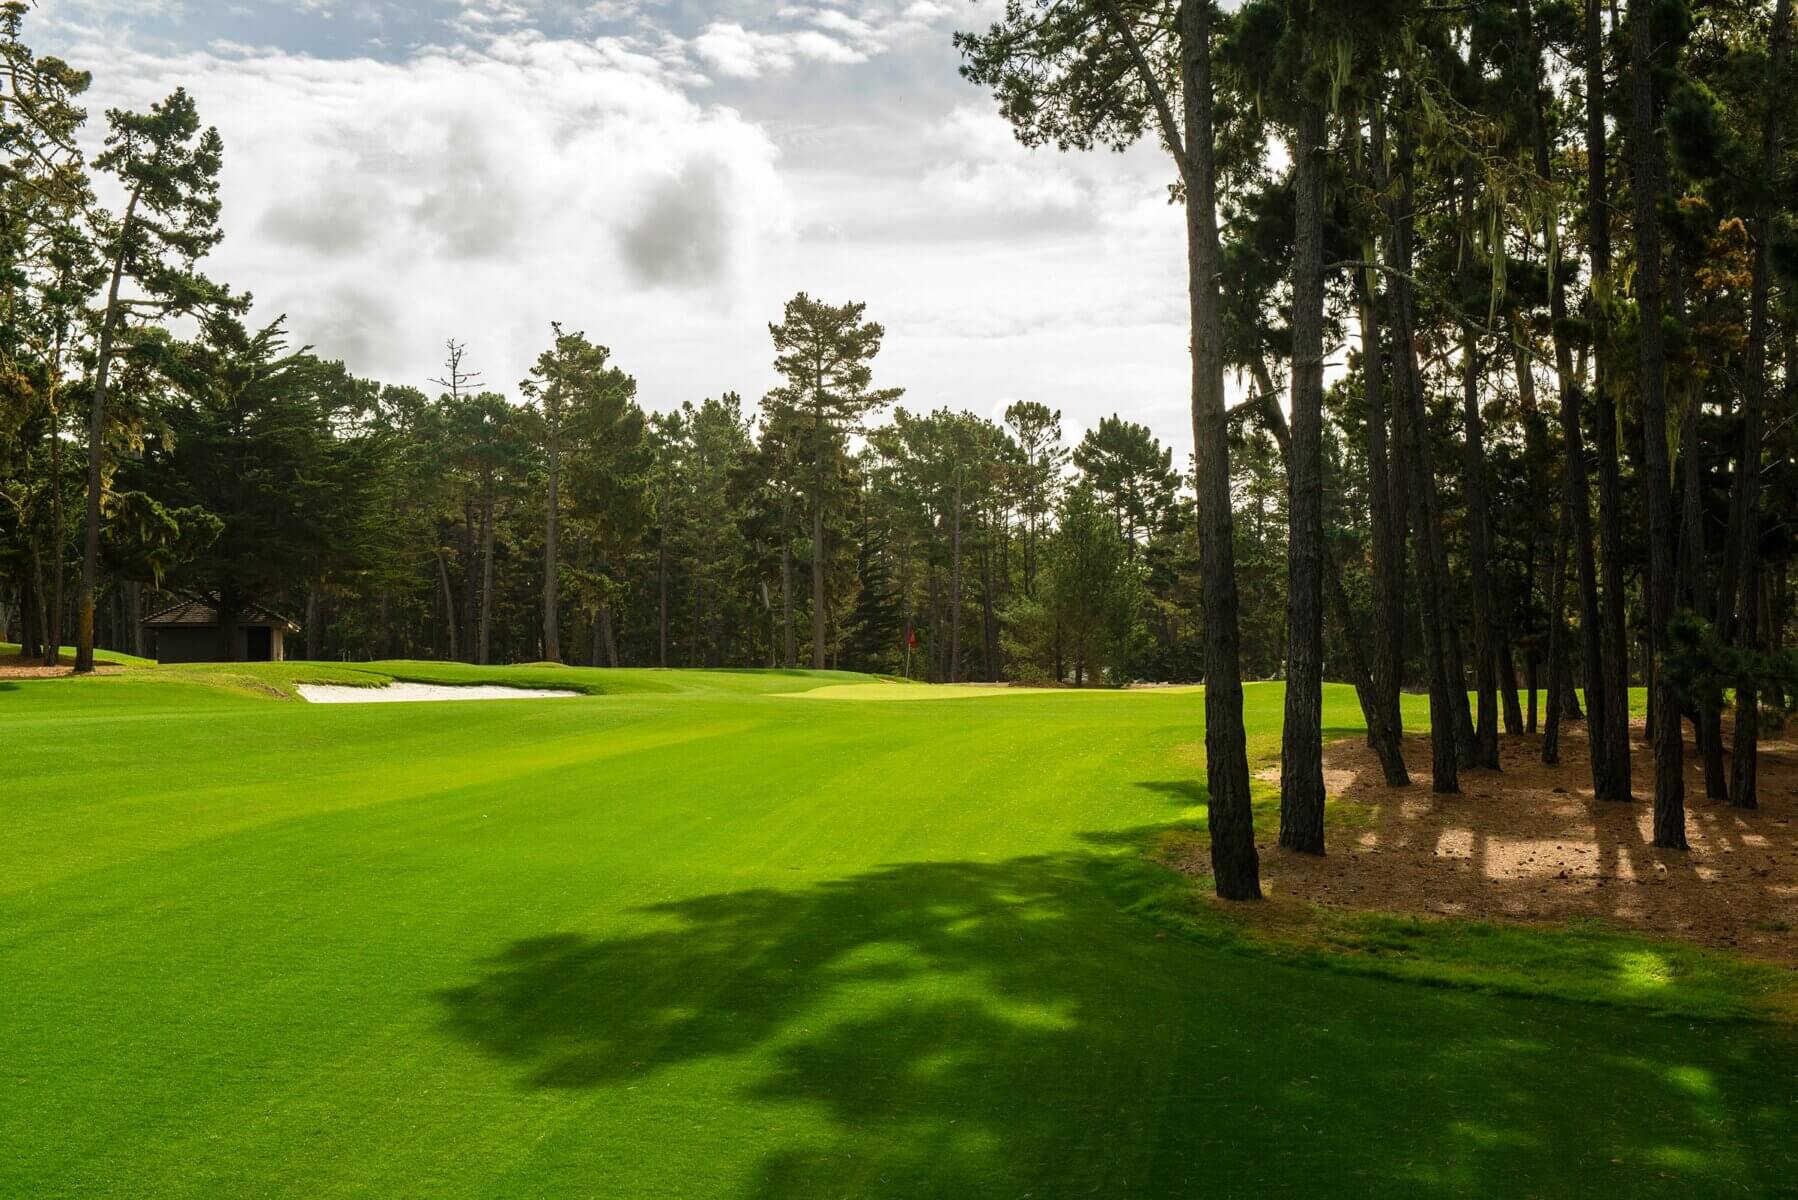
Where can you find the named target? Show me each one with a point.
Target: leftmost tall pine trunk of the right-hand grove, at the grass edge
(1236, 864)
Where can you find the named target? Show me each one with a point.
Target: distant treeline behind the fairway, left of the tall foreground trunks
(156, 443)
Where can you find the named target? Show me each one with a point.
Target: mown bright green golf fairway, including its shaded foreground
(700, 938)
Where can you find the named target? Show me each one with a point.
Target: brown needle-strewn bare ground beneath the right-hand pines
(1531, 845)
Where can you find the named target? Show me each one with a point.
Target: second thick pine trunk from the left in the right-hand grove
(1303, 733)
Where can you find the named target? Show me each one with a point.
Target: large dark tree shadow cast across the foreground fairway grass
(1004, 1030)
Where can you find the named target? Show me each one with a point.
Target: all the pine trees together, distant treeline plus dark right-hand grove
(1493, 325)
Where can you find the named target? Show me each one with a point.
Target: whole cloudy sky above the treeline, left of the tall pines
(663, 175)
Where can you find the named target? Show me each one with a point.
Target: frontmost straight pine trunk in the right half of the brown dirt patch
(1669, 744)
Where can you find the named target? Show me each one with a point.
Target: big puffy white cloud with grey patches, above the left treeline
(474, 193)
